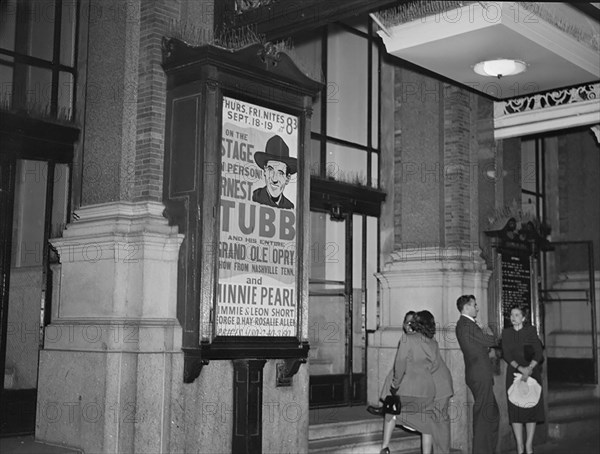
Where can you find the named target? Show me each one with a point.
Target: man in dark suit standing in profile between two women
(474, 343)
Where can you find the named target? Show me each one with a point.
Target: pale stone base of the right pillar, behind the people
(427, 279)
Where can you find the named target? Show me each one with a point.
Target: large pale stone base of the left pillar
(113, 349)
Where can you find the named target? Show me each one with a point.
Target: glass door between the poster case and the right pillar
(337, 360)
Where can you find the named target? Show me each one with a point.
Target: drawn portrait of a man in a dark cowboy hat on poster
(278, 167)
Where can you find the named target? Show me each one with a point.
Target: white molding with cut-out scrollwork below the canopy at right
(550, 111)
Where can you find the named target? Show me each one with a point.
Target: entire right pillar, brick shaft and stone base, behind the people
(442, 134)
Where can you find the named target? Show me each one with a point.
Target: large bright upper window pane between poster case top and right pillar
(347, 86)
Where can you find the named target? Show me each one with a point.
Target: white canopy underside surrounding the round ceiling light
(451, 43)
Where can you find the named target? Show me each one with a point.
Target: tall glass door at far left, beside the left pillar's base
(33, 205)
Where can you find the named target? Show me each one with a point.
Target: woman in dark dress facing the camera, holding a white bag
(522, 350)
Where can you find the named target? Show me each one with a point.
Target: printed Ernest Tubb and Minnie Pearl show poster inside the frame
(257, 288)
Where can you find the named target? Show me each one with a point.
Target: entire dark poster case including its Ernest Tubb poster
(237, 185)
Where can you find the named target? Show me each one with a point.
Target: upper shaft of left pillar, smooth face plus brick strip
(124, 122)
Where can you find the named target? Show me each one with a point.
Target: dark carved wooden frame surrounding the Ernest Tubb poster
(198, 78)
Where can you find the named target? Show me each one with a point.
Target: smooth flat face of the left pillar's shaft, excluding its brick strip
(110, 101)
